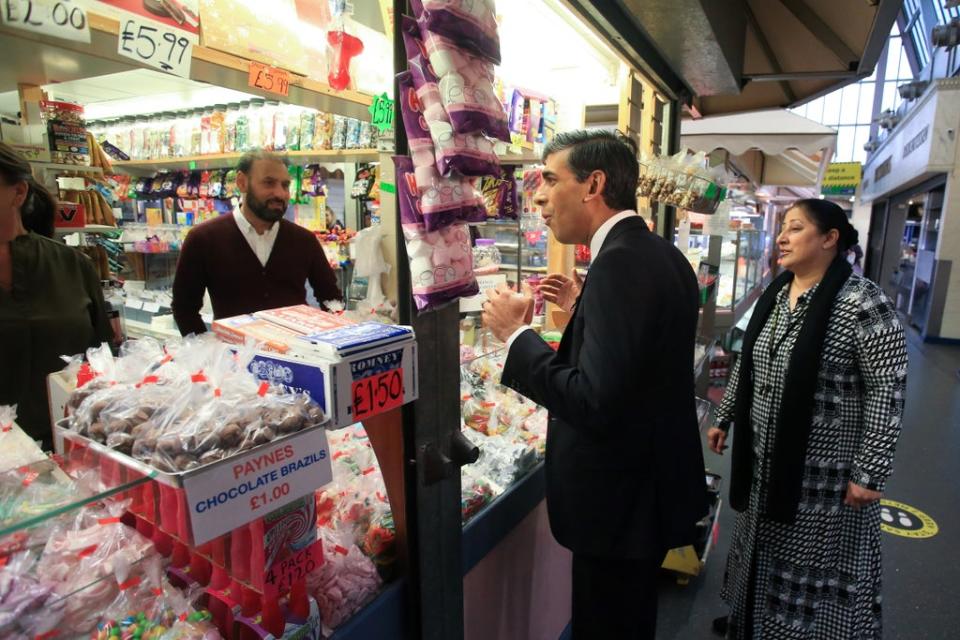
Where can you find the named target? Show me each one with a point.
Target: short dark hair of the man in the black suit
(600, 150)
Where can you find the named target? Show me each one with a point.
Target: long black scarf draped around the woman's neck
(796, 404)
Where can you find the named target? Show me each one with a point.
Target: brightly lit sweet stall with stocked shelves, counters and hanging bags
(409, 540)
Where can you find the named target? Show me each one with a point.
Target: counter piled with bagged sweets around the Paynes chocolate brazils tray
(101, 539)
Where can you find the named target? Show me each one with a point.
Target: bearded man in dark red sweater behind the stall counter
(252, 259)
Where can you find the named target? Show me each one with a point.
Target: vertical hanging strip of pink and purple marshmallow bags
(452, 116)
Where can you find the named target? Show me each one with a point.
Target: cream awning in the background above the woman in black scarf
(770, 147)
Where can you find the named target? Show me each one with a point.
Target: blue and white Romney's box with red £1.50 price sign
(343, 386)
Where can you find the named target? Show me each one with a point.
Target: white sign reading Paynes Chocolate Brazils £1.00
(250, 486)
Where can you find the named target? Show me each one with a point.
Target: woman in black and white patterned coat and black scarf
(817, 398)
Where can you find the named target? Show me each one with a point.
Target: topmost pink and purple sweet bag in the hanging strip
(472, 24)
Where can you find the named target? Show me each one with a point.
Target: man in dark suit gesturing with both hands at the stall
(625, 475)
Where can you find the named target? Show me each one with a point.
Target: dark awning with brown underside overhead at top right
(744, 55)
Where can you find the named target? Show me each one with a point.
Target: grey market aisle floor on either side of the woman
(920, 575)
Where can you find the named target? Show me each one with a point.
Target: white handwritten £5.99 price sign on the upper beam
(155, 45)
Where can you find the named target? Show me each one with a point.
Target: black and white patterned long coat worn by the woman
(819, 578)
